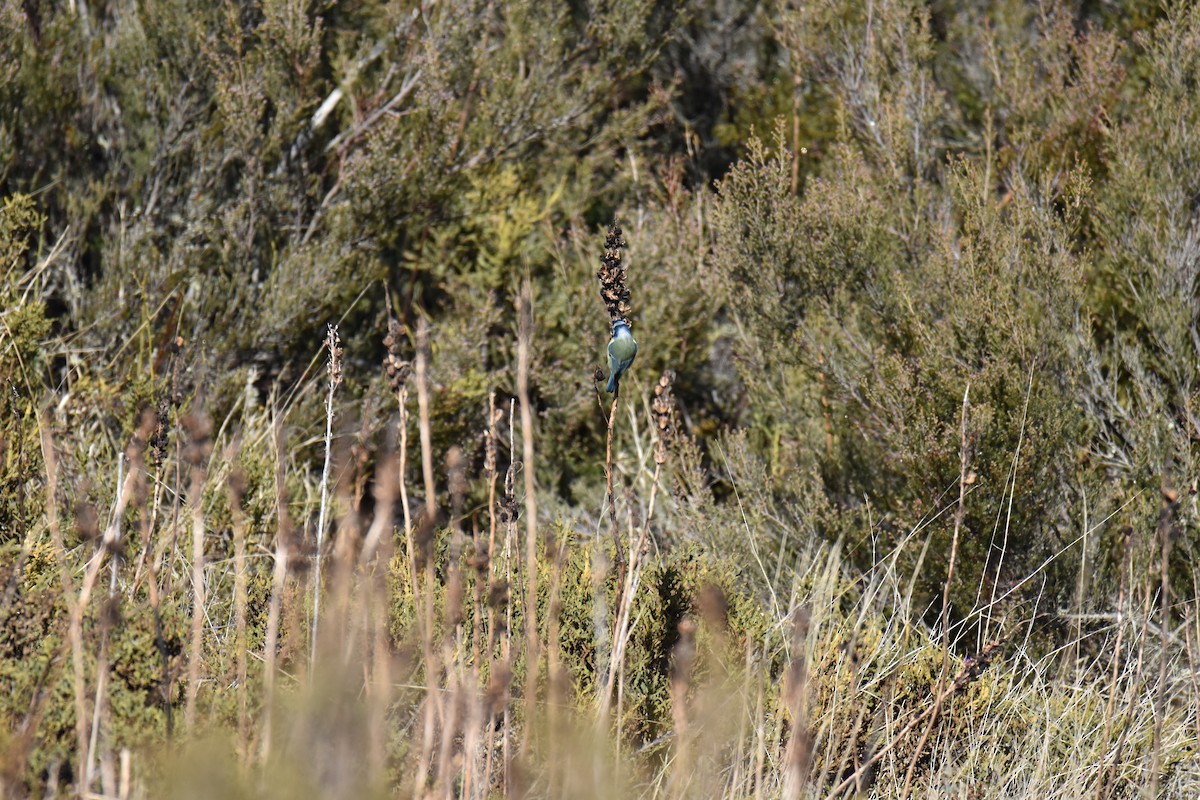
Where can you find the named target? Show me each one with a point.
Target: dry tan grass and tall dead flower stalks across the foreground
(457, 660)
